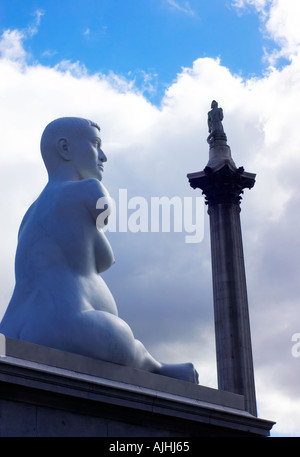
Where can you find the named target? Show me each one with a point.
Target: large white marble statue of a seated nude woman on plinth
(60, 300)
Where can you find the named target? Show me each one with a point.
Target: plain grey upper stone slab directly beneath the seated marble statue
(29, 352)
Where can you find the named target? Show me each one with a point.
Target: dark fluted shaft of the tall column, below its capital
(232, 327)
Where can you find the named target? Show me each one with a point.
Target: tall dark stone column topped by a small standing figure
(222, 184)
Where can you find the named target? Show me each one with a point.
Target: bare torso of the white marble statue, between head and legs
(59, 257)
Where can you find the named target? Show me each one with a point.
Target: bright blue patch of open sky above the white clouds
(140, 39)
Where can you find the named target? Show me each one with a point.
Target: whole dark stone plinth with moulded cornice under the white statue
(45, 392)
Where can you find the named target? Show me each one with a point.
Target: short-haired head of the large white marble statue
(72, 145)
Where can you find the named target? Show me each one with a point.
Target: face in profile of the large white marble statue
(87, 155)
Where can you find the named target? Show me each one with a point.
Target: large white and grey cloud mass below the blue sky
(158, 280)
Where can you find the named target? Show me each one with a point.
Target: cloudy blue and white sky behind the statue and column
(147, 71)
